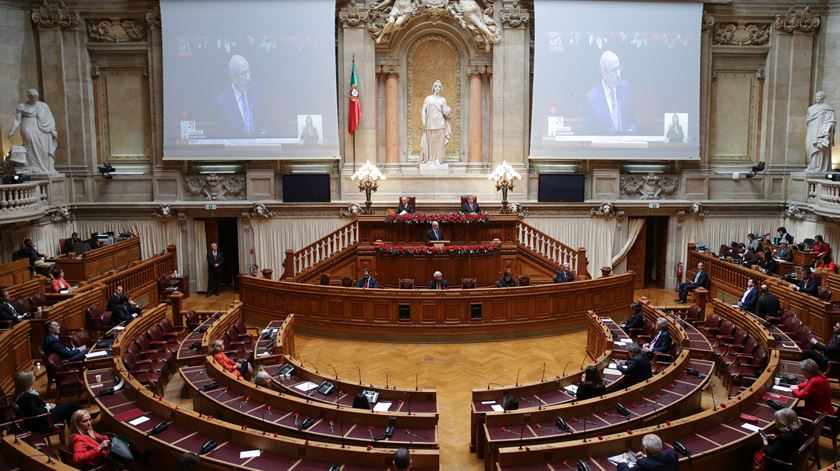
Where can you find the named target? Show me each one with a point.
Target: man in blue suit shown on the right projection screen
(609, 103)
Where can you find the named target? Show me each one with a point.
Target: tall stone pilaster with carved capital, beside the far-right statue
(788, 89)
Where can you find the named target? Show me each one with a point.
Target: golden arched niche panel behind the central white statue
(430, 58)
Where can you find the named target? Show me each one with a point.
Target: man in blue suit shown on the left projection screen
(238, 105)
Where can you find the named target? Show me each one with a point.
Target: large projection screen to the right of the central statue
(616, 80)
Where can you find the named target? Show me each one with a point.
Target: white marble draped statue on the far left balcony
(37, 130)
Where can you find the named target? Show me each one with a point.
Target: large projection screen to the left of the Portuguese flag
(249, 79)
